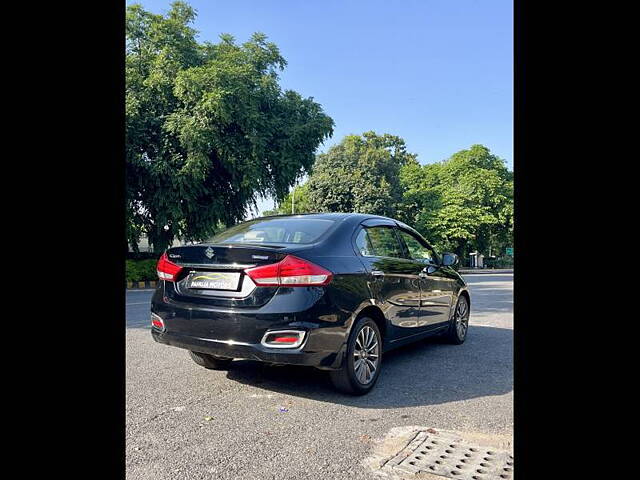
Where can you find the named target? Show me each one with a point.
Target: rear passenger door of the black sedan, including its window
(394, 278)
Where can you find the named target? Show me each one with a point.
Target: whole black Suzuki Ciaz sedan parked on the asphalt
(333, 291)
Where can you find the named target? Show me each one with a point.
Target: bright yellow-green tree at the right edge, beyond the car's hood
(462, 204)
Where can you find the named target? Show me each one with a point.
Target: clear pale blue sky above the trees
(439, 74)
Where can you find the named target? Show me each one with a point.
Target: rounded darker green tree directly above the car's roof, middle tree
(360, 174)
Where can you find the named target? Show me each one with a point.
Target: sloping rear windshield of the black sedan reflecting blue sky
(286, 230)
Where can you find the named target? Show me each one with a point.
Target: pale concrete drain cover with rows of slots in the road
(447, 455)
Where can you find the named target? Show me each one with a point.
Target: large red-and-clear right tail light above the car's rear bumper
(290, 272)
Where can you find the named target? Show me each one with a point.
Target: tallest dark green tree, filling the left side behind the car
(208, 128)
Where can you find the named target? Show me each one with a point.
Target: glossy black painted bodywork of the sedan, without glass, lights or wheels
(407, 299)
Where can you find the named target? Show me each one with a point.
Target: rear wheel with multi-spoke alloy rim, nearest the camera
(358, 382)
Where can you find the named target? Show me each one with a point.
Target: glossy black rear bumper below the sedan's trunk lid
(237, 332)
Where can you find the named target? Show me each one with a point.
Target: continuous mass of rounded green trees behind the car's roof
(462, 204)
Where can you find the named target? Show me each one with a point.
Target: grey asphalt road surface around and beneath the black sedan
(186, 422)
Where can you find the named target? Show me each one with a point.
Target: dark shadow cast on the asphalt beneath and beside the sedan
(428, 372)
